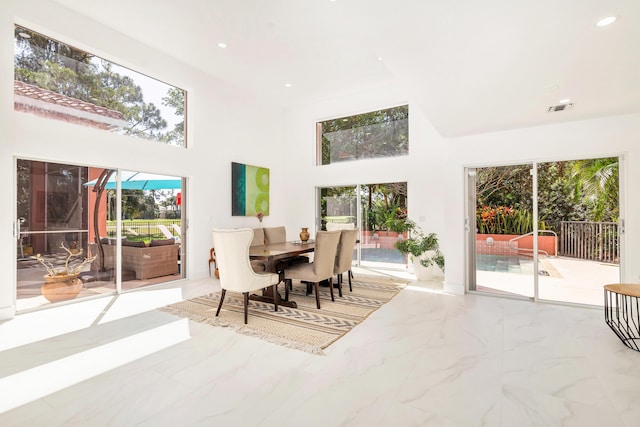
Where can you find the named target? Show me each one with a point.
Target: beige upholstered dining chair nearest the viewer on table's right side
(320, 269)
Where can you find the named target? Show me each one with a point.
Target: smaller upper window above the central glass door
(382, 133)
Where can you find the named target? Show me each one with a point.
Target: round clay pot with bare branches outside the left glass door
(61, 283)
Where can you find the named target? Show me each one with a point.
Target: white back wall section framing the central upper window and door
(422, 169)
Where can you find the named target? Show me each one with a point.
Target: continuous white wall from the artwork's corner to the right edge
(435, 166)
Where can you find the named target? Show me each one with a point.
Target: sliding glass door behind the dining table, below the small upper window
(372, 208)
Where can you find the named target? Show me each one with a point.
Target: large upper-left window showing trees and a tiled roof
(58, 81)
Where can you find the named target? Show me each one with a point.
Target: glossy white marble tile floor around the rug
(424, 359)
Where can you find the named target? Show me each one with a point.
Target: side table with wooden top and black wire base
(622, 312)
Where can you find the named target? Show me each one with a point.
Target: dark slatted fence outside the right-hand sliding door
(596, 241)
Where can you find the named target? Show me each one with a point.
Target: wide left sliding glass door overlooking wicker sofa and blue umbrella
(80, 233)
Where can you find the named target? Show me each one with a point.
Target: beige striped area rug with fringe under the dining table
(303, 328)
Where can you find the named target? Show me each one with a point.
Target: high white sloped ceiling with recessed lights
(472, 66)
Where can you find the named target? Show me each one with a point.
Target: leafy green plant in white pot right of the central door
(424, 250)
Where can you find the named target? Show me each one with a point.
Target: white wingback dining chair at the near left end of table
(236, 274)
